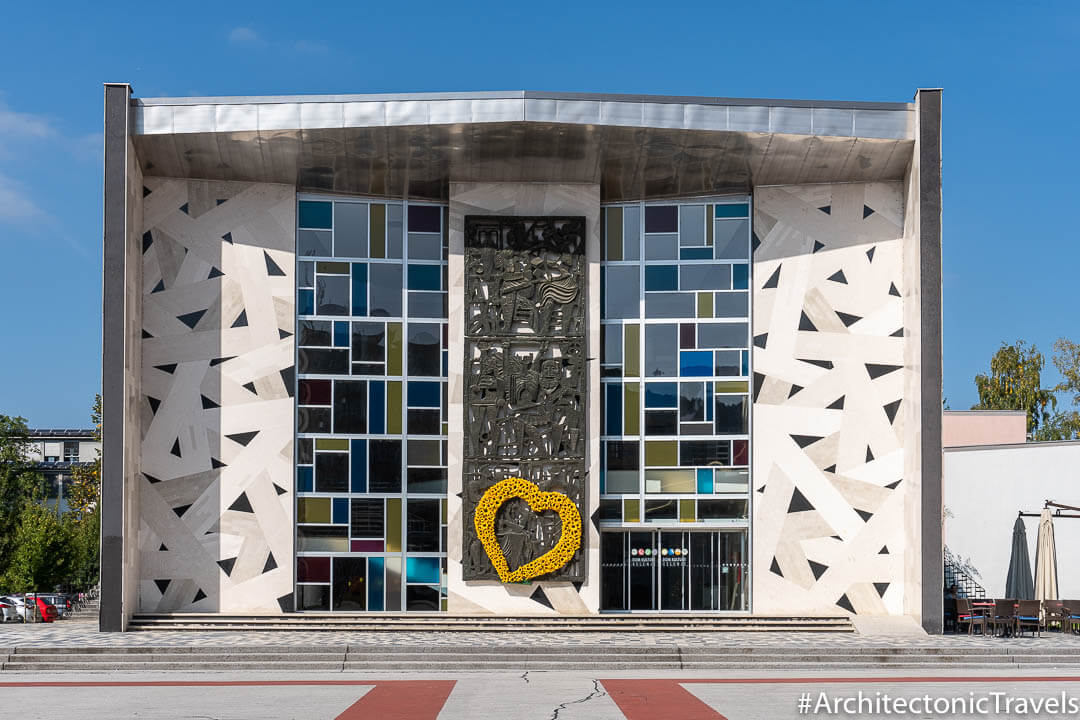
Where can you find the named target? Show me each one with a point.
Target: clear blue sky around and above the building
(1010, 132)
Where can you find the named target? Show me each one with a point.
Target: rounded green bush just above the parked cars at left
(42, 551)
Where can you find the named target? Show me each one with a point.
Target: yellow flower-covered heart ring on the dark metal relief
(538, 501)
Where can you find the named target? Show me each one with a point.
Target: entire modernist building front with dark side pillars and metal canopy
(522, 354)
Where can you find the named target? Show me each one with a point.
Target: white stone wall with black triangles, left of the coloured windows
(217, 500)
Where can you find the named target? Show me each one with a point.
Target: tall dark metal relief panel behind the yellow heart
(525, 391)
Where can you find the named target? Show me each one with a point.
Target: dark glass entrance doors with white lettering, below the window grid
(673, 570)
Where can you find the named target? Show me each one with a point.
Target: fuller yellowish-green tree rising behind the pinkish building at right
(1016, 384)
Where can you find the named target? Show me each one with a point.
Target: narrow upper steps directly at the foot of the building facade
(369, 622)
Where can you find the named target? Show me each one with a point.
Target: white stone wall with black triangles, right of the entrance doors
(829, 383)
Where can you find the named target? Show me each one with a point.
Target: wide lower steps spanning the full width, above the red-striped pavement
(997, 658)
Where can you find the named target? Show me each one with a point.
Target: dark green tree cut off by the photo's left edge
(20, 485)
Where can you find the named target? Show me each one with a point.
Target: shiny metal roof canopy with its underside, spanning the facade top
(636, 147)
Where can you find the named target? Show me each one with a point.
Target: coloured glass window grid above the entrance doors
(676, 359)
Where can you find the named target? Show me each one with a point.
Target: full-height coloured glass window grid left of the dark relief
(372, 397)
